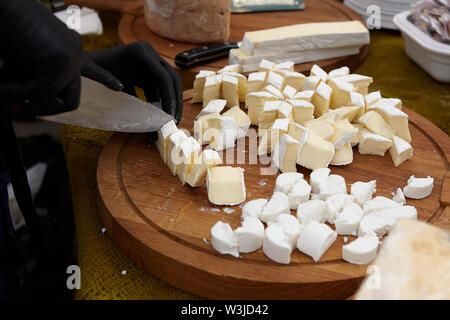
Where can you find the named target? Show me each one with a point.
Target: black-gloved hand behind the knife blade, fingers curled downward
(137, 64)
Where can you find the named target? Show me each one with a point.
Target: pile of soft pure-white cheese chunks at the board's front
(320, 204)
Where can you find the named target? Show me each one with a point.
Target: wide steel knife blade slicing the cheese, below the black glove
(106, 109)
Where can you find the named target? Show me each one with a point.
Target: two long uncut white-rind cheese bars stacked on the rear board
(299, 43)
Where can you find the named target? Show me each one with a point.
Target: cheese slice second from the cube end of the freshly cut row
(188, 150)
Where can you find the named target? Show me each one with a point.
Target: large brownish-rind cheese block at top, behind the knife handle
(194, 21)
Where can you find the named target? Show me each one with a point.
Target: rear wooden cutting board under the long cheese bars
(133, 28)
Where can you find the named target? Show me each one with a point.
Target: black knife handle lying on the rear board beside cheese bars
(209, 52)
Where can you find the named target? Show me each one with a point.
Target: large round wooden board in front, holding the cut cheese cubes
(164, 227)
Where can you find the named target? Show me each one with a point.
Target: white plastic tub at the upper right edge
(433, 56)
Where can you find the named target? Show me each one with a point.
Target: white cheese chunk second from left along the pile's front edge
(250, 235)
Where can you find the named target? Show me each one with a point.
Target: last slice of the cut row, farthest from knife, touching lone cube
(209, 158)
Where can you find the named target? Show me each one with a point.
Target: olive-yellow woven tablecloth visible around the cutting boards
(102, 264)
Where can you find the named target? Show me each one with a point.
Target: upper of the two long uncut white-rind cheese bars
(305, 36)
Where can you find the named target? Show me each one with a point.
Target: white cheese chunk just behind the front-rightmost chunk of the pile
(375, 223)
